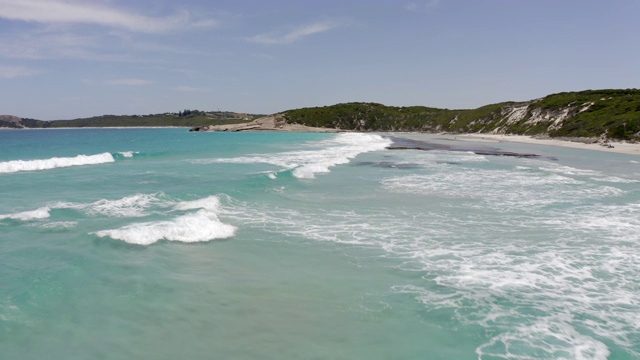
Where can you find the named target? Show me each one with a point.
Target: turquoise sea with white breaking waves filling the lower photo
(163, 244)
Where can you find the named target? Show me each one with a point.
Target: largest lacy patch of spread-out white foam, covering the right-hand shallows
(555, 281)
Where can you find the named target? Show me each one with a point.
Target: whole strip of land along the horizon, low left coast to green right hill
(591, 115)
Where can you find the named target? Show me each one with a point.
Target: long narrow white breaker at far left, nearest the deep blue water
(53, 163)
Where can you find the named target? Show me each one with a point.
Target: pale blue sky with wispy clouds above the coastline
(66, 59)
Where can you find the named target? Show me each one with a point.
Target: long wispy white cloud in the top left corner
(66, 12)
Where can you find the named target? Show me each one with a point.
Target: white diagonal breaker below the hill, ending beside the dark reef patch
(328, 153)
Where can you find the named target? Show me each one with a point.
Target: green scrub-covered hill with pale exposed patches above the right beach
(593, 113)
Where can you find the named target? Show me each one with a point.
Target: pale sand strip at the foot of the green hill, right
(618, 147)
